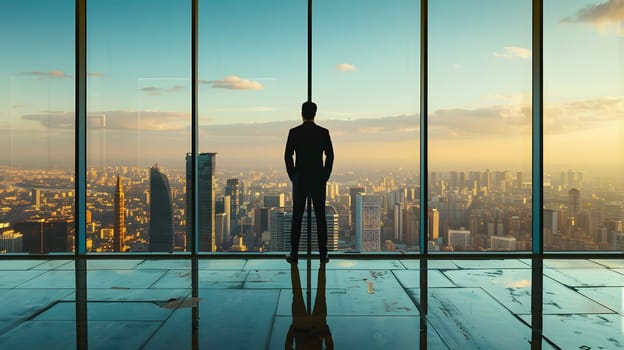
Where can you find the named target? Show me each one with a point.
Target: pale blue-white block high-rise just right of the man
(367, 222)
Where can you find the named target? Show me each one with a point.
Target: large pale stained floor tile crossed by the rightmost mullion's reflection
(512, 288)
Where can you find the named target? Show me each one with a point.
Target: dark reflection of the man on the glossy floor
(308, 331)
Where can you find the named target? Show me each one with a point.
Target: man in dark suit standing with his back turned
(309, 176)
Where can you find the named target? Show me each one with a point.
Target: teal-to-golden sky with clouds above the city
(253, 79)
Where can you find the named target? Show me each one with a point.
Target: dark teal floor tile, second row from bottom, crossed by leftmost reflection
(108, 311)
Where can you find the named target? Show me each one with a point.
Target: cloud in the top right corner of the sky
(604, 15)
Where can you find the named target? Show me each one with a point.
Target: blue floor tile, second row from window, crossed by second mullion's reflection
(207, 279)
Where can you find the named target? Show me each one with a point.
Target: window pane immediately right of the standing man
(366, 81)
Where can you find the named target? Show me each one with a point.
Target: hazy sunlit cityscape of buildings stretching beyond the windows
(133, 209)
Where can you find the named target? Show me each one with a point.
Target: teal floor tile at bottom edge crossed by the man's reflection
(362, 333)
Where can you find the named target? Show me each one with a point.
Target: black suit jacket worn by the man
(308, 142)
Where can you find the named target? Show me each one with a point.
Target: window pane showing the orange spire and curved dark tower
(138, 125)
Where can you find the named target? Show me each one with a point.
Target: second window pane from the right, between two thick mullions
(480, 125)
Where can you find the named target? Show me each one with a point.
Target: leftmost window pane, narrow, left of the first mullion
(37, 126)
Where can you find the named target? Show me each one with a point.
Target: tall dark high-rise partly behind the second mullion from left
(206, 201)
